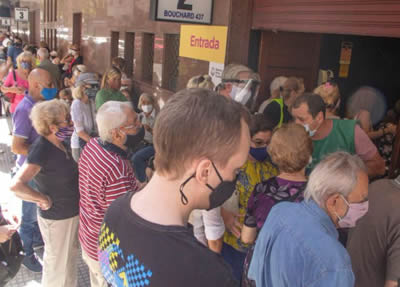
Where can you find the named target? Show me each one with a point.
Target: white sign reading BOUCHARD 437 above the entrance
(187, 11)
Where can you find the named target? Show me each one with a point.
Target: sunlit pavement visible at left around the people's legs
(25, 277)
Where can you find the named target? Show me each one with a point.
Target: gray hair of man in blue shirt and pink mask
(337, 173)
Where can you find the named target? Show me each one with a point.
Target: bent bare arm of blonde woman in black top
(22, 190)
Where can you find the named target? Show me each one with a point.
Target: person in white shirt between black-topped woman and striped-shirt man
(81, 114)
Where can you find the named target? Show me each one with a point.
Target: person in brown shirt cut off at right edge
(374, 243)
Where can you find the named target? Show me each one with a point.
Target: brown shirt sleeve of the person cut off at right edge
(393, 255)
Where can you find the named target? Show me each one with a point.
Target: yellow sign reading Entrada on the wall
(206, 43)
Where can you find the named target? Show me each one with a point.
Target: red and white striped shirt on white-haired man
(105, 174)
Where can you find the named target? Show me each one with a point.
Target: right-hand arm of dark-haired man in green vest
(368, 152)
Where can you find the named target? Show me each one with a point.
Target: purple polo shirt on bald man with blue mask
(23, 125)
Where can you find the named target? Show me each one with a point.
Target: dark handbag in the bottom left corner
(11, 255)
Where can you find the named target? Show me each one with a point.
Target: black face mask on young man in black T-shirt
(218, 195)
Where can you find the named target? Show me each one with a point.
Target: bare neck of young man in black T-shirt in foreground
(165, 200)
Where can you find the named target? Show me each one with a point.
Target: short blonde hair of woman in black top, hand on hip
(47, 113)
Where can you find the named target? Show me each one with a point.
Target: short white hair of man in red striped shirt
(110, 116)
